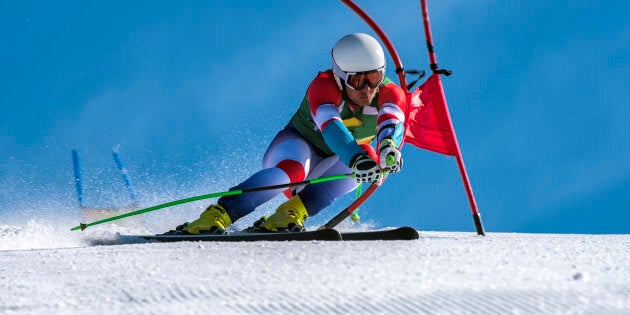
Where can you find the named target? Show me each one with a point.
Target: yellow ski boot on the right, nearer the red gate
(289, 216)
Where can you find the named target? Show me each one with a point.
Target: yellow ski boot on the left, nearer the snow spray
(214, 220)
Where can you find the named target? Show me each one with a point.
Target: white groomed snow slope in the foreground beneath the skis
(45, 269)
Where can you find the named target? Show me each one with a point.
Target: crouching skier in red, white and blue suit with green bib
(344, 109)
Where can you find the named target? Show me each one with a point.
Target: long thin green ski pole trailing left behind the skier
(83, 226)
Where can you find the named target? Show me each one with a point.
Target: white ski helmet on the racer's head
(356, 53)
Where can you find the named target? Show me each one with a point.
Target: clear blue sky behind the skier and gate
(193, 91)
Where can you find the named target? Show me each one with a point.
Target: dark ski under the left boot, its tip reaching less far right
(317, 235)
